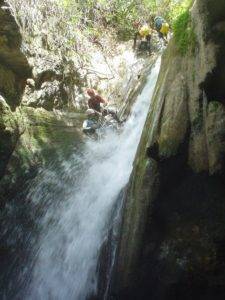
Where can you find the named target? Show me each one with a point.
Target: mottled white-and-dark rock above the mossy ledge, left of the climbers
(55, 82)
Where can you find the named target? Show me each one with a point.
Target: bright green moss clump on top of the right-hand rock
(184, 34)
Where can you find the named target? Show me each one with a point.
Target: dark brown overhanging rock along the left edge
(14, 70)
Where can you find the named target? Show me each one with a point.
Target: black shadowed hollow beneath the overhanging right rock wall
(183, 253)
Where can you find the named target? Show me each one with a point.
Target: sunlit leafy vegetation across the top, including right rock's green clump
(69, 24)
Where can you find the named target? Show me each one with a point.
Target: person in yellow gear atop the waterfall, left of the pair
(144, 34)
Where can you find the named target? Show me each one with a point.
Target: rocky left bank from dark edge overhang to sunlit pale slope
(43, 77)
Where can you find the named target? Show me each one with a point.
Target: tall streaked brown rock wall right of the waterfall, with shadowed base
(172, 242)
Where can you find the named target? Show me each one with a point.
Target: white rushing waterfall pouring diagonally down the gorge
(74, 229)
